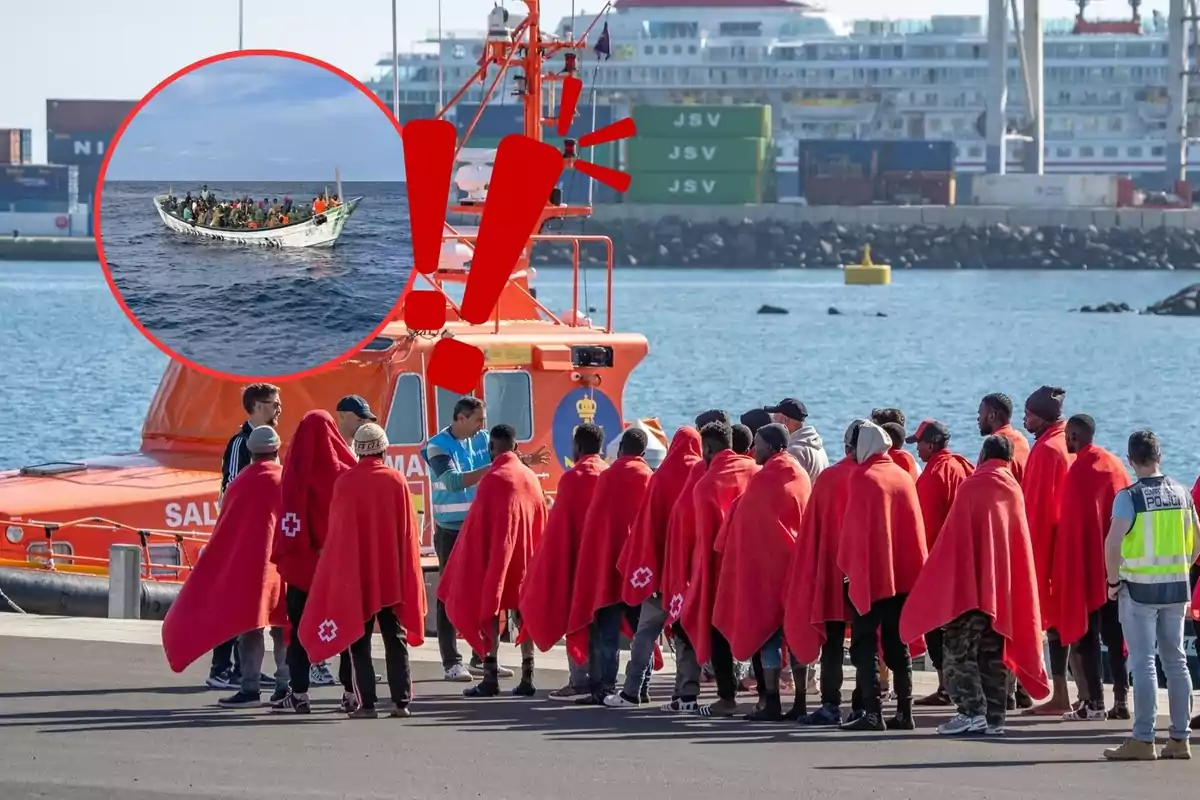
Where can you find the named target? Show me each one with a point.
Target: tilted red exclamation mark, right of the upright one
(524, 176)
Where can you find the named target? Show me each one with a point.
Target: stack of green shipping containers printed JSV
(700, 155)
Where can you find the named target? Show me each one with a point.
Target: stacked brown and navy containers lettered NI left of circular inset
(79, 133)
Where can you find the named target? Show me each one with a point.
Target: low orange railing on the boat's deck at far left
(74, 562)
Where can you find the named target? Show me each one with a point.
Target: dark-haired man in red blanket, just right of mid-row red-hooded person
(697, 641)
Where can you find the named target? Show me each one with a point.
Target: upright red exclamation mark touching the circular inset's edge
(429, 163)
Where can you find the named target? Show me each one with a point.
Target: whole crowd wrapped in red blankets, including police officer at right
(737, 548)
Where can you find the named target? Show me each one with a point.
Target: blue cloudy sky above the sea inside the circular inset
(259, 118)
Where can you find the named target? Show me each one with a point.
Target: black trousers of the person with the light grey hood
(881, 623)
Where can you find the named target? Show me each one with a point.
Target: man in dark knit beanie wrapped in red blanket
(1046, 474)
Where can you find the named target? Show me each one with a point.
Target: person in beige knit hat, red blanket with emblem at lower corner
(369, 575)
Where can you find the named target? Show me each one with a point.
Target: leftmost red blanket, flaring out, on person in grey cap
(235, 587)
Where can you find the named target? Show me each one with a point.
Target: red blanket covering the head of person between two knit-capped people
(316, 458)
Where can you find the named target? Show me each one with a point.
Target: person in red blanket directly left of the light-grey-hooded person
(815, 606)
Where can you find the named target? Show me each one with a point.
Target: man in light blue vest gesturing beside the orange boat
(459, 459)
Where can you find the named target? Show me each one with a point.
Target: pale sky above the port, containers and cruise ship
(122, 50)
